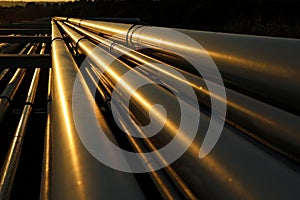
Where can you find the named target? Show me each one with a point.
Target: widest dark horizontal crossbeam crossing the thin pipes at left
(24, 61)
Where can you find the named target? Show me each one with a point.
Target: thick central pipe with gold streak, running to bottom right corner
(237, 168)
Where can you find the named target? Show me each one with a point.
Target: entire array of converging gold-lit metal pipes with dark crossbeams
(95, 66)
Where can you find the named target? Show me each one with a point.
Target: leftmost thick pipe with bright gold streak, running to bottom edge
(75, 174)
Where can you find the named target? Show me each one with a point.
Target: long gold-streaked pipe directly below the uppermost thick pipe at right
(276, 128)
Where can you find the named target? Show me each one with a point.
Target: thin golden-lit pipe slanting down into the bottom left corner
(10, 165)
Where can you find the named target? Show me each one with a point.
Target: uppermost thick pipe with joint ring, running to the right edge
(240, 58)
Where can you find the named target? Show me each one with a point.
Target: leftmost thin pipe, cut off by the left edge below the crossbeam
(9, 92)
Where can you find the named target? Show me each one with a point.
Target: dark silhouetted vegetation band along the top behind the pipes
(261, 17)
